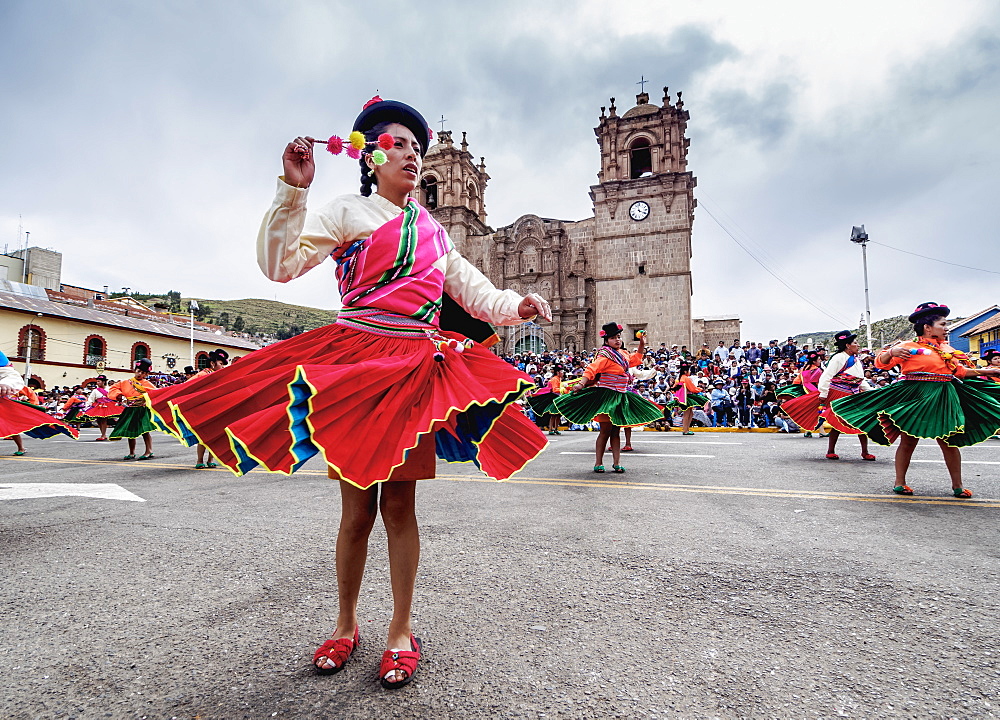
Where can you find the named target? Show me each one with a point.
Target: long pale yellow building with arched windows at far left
(72, 342)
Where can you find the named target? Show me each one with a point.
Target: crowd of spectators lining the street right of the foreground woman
(740, 380)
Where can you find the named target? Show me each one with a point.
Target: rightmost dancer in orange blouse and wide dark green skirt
(939, 397)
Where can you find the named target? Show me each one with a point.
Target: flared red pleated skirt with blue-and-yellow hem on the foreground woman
(369, 404)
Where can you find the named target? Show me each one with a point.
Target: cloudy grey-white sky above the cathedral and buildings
(142, 140)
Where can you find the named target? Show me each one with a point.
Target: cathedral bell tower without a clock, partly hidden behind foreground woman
(452, 187)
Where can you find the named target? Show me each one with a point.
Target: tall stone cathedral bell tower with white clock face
(643, 213)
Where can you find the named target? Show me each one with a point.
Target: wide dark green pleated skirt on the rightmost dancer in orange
(961, 413)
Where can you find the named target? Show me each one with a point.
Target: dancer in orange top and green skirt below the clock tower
(608, 399)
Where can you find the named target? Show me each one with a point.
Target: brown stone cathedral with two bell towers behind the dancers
(629, 263)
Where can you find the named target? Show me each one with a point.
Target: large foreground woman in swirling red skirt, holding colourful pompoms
(386, 374)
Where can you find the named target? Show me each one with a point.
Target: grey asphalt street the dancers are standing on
(728, 575)
